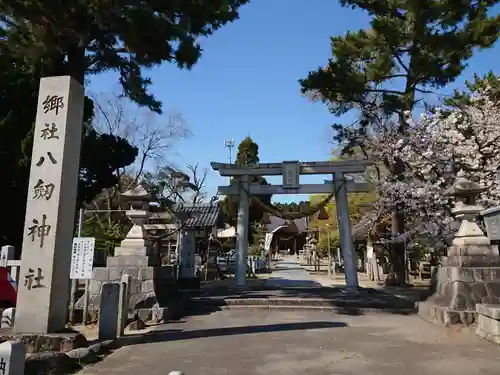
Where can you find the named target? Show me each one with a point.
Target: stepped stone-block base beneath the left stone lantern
(151, 287)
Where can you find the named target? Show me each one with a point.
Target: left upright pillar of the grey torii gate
(242, 232)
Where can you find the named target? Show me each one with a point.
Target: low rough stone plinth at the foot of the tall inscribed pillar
(38, 342)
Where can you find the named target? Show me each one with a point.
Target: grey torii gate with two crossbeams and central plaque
(291, 171)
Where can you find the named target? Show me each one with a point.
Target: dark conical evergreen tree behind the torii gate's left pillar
(248, 153)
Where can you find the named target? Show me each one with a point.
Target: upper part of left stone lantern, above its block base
(135, 242)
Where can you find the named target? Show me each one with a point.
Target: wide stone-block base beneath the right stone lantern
(469, 275)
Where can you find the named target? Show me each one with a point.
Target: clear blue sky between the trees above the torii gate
(246, 83)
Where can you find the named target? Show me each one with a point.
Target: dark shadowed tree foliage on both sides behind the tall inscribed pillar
(101, 154)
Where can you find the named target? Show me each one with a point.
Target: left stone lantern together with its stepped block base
(150, 283)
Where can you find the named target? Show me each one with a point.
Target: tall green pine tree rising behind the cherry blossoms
(412, 48)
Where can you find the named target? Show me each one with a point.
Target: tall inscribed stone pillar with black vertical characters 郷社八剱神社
(42, 300)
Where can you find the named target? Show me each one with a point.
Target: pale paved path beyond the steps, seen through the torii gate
(289, 273)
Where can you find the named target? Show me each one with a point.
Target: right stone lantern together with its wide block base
(470, 273)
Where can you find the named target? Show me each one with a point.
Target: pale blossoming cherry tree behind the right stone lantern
(437, 146)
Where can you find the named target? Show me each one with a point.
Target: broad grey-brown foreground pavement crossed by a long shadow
(317, 343)
